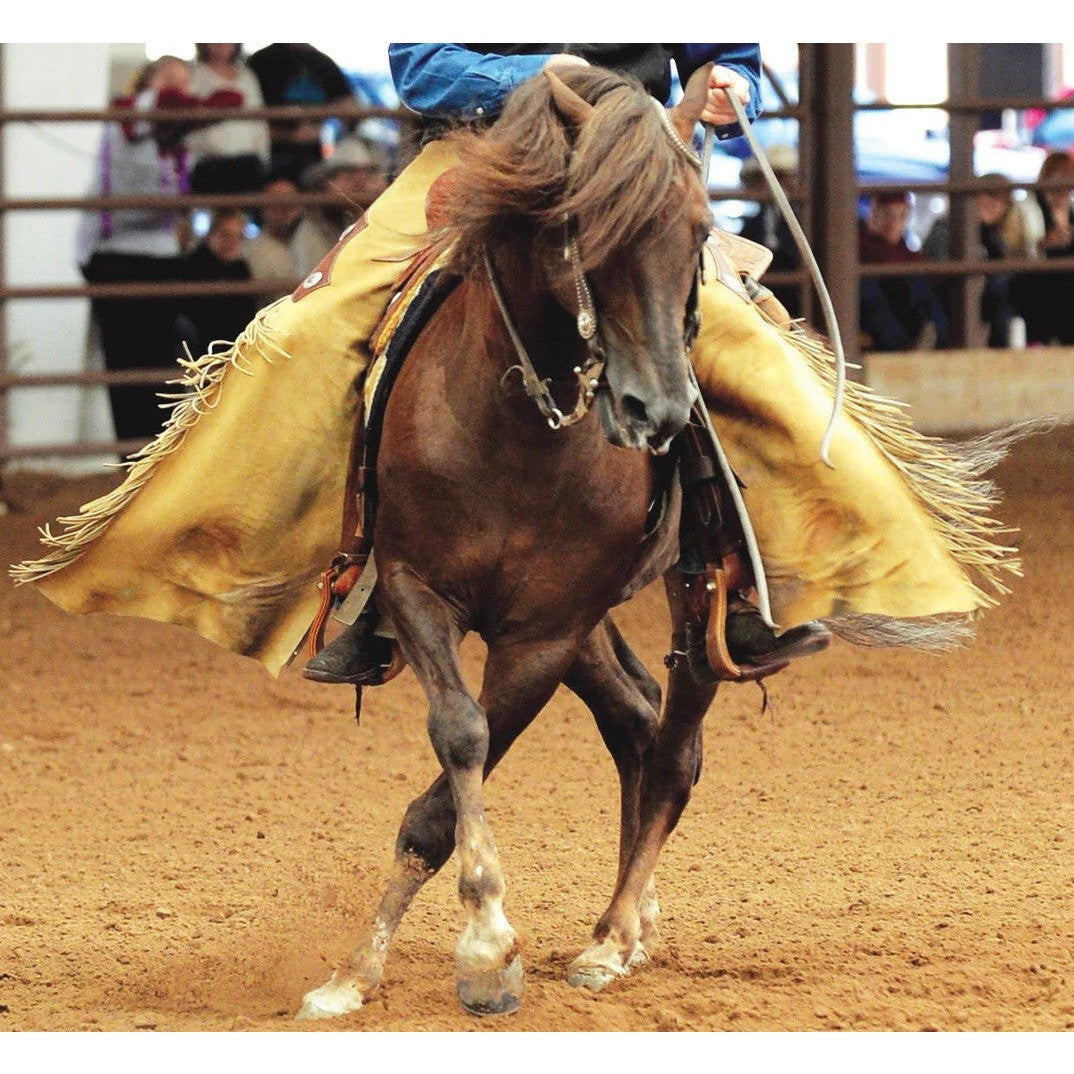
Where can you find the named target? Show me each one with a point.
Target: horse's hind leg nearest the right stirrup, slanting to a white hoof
(669, 772)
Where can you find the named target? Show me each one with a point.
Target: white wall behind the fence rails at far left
(49, 336)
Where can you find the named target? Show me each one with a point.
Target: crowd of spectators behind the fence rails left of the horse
(280, 242)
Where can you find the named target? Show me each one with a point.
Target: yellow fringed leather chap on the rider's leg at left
(219, 523)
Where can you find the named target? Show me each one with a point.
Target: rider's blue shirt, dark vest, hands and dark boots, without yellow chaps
(452, 82)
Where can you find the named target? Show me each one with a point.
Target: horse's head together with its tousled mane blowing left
(588, 171)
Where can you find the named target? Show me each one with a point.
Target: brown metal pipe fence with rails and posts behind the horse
(825, 193)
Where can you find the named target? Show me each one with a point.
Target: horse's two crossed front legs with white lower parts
(519, 681)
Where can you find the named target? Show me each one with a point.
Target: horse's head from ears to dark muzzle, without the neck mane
(642, 215)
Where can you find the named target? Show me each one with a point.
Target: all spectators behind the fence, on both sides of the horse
(282, 242)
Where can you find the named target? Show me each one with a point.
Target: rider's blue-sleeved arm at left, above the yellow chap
(449, 80)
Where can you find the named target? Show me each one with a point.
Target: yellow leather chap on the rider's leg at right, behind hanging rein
(851, 540)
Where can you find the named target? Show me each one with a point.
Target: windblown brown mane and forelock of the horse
(528, 173)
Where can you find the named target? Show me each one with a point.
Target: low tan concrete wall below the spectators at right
(969, 391)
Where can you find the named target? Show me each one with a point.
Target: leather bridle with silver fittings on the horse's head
(591, 371)
